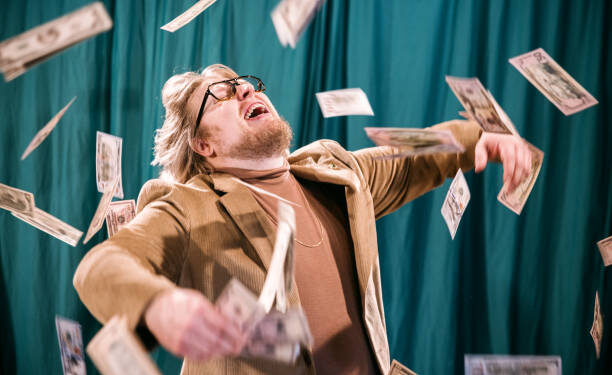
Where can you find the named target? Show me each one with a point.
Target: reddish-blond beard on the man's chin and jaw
(267, 140)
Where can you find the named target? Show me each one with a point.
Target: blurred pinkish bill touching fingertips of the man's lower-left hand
(239, 304)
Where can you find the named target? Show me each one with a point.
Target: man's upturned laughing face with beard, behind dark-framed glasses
(244, 127)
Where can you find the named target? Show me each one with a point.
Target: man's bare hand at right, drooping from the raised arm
(511, 150)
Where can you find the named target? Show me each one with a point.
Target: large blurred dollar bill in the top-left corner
(25, 50)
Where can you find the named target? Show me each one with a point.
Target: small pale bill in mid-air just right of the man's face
(344, 102)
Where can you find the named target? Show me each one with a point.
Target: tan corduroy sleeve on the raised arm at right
(394, 182)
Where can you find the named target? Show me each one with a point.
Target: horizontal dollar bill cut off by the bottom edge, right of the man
(509, 364)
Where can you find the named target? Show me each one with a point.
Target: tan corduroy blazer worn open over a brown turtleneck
(204, 232)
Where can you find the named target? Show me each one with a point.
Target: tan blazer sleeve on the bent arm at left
(122, 274)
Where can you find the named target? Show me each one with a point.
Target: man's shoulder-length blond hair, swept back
(172, 150)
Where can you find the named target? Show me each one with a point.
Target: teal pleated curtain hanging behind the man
(507, 284)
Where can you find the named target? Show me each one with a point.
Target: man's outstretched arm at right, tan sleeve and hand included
(394, 182)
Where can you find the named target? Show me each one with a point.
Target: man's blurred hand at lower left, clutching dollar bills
(188, 325)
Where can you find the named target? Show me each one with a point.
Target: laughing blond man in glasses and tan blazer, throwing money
(198, 227)
